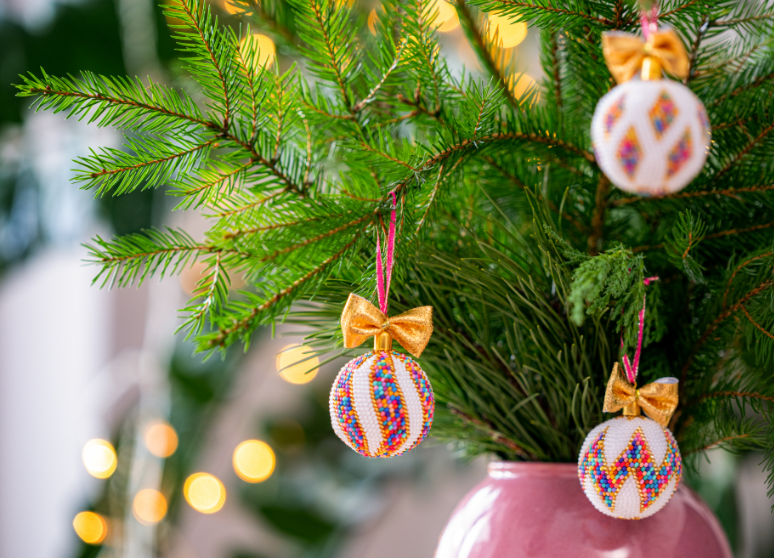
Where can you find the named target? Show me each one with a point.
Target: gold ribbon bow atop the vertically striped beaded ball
(361, 320)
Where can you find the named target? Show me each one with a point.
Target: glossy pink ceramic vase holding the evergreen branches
(539, 509)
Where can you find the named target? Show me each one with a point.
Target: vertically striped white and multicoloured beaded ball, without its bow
(382, 404)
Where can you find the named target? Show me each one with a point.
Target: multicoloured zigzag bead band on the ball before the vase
(636, 460)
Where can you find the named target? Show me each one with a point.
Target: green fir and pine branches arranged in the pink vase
(534, 263)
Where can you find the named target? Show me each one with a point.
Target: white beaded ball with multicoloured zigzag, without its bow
(629, 467)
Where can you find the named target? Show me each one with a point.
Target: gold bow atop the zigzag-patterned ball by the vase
(658, 400)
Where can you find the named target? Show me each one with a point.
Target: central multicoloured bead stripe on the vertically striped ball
(389, 405)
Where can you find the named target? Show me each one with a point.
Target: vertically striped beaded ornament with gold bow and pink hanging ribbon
(381, 403)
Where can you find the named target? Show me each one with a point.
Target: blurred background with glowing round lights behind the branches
(114, 440)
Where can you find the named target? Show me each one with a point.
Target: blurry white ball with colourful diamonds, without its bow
(651, 137)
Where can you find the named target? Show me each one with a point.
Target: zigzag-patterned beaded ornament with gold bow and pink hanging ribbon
(630, 466)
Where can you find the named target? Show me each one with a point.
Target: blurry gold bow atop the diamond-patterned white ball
(625, 54)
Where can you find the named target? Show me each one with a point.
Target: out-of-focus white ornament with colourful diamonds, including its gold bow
(651, 135)
